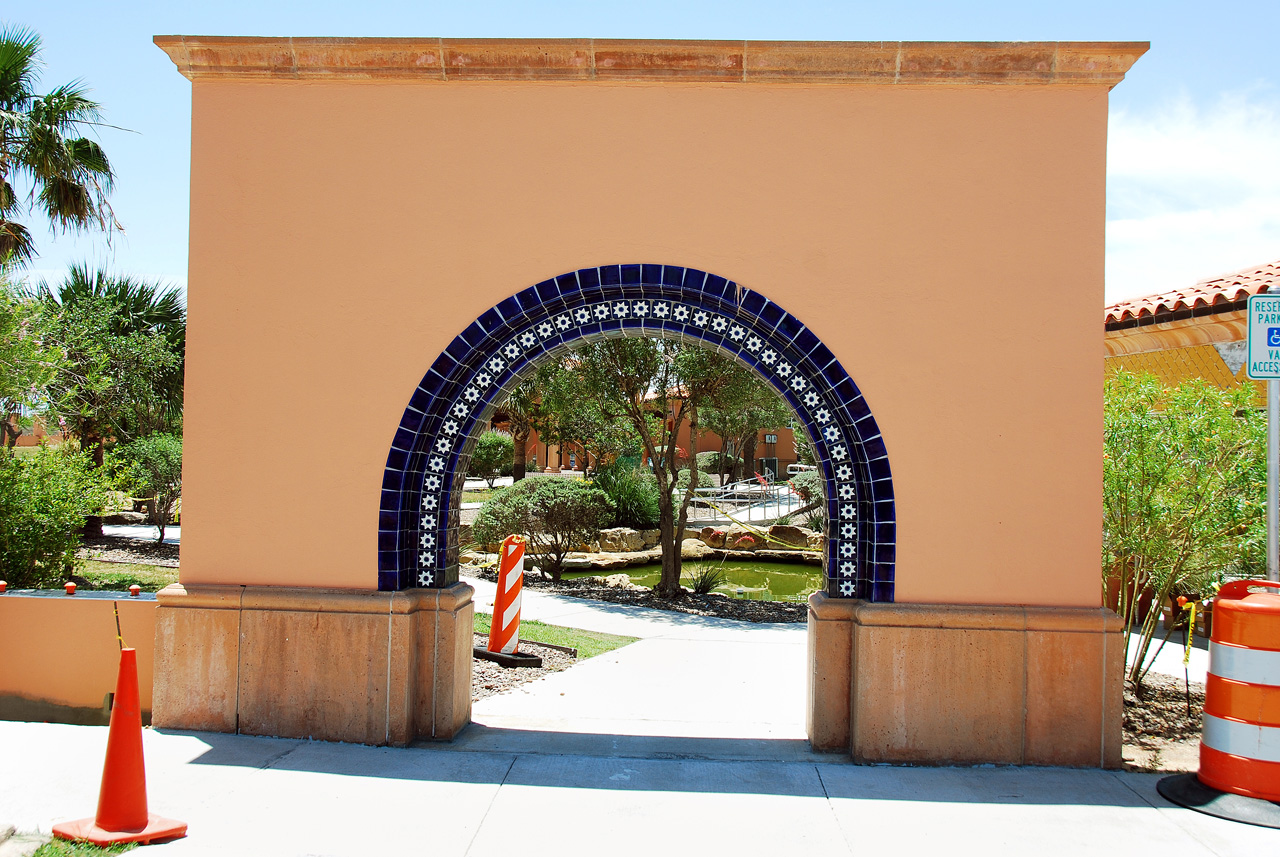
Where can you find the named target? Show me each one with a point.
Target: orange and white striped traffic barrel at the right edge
(1241, 744)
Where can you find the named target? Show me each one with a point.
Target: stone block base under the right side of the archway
(966, 685)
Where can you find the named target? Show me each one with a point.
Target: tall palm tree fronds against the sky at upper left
(70, 176)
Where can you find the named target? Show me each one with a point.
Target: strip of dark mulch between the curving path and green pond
(702, 606)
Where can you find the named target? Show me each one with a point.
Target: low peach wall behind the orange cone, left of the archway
(61, 656)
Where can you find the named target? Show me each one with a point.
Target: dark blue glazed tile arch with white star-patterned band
(419, 517)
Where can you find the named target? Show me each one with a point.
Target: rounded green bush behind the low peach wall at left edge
(44, 501)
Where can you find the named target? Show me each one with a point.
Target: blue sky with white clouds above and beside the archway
(1194, 153)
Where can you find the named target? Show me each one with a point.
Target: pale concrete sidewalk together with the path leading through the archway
(687, 743)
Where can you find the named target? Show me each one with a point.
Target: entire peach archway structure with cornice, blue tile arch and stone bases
(929, 217)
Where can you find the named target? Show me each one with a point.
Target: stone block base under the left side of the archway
(374, 668)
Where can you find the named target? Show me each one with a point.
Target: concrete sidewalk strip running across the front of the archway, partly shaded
(271, 796)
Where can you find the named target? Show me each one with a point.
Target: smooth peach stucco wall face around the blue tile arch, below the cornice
(944, 241)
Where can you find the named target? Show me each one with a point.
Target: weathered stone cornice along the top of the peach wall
(702, 62)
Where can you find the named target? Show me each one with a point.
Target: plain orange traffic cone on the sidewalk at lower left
(122, 805)
